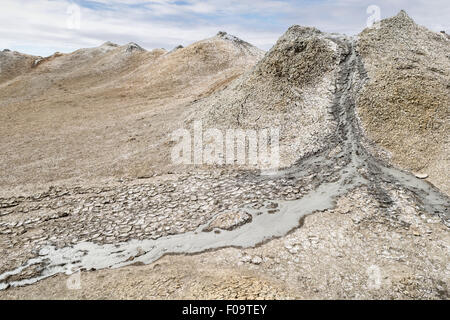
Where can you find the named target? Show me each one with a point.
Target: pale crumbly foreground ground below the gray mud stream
(354, 251)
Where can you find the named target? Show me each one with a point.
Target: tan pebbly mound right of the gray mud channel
(404, 106)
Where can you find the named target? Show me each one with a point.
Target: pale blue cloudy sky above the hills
(42, 27)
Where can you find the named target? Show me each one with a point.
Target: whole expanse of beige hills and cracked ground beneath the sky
(86, 159)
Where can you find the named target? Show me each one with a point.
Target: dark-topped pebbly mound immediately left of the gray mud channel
(290, 88)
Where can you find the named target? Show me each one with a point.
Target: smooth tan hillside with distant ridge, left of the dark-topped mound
(105, 112)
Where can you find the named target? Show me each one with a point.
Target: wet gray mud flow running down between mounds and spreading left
(334, 176)
